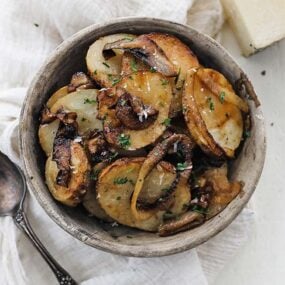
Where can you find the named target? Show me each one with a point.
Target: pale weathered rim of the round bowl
(172, 246)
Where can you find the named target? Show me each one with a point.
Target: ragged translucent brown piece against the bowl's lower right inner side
(224, 191)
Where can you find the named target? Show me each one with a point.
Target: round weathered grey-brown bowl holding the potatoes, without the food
(68, 58)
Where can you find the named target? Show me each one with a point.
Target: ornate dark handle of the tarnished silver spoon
(62, 276)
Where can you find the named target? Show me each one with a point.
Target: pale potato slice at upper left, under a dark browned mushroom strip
(105, 72)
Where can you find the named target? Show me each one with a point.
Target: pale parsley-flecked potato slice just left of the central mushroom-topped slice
(84, 103)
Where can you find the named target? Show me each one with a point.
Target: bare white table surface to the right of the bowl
(262, 259)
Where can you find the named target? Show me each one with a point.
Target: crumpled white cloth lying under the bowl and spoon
(29, 31)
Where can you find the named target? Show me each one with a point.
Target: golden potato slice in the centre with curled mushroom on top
(154, 90)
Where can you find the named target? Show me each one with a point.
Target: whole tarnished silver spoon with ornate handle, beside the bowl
(12, 195)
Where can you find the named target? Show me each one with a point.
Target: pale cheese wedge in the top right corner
(257, 24)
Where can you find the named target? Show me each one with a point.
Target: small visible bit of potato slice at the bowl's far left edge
(47, 134)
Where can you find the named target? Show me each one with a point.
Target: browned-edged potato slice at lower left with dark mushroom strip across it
(71, 195)
